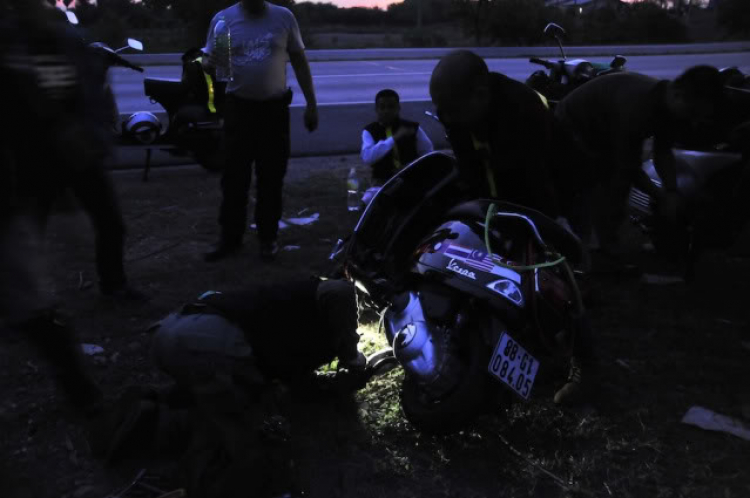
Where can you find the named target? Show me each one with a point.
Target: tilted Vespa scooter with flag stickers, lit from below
(475, 293)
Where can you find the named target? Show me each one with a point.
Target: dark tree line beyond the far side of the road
(510, 22)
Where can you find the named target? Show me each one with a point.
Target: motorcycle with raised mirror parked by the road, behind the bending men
(563, 76)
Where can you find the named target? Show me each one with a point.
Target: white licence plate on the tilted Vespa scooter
(514, 366)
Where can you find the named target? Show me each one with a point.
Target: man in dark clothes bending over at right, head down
(611, 117)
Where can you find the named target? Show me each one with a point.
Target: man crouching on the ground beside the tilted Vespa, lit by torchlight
(225, 352)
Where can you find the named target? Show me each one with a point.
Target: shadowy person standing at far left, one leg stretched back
(55, 81)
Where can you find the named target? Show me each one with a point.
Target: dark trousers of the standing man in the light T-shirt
(256, 132)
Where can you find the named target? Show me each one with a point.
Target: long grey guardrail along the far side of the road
(486, 52)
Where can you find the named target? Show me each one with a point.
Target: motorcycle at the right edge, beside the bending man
(713, 178)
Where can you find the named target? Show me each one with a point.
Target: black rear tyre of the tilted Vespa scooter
(451, 413)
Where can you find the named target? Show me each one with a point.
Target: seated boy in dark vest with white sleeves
(390, 143)
